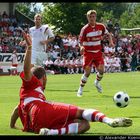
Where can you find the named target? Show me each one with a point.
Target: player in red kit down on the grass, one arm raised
(49, 118)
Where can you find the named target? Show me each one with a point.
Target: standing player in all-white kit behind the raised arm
(41, 35)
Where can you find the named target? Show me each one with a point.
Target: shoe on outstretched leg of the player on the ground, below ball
(121, 122)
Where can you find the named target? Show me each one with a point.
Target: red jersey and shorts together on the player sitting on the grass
(44, 114)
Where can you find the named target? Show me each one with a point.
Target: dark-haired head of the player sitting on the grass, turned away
(40, 73)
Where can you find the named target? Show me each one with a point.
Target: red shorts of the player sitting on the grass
(51, 115)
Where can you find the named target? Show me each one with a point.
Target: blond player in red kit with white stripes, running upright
(90, 45)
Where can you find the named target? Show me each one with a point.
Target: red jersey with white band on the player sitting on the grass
(30, 91)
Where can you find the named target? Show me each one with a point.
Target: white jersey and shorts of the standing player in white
(38, 50)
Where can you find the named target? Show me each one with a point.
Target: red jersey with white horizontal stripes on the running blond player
(91, 37)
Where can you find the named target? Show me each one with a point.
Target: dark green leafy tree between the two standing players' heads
(66, 17)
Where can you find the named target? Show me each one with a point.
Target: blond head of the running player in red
(91, 16)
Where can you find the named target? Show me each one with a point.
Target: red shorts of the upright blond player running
(90, 58)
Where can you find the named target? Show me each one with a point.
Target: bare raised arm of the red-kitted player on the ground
(27, 59)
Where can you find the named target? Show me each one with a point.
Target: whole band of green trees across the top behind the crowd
(70, 17)
